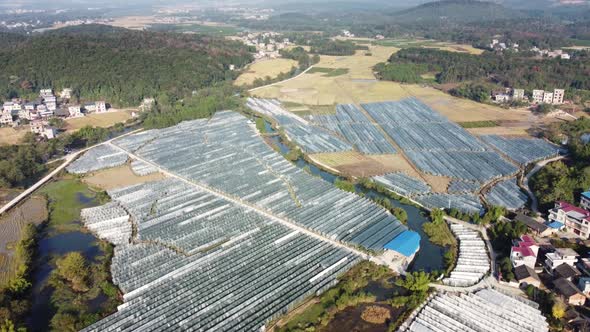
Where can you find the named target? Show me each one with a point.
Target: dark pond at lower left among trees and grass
(51, 245)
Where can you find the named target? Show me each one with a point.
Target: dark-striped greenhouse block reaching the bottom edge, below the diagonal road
(240, 286)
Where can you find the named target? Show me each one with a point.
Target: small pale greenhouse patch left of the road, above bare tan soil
(102, 156)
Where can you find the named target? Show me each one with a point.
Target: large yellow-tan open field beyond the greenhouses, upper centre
(360, 86)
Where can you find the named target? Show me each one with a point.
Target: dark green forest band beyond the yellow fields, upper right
(507, 70)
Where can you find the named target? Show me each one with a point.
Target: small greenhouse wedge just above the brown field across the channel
(352, 124)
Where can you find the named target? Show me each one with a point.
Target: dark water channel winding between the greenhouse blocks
(428, 258)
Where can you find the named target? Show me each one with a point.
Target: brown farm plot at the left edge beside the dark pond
(33, 210)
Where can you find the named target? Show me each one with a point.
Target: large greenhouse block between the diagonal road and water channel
(226, 155)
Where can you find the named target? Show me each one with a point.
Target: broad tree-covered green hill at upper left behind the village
(118, 65)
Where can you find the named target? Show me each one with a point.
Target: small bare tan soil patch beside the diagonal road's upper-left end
(117, 177)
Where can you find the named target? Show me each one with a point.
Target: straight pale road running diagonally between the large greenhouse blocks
(250, 206)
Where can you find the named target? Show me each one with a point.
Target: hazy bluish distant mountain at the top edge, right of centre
(456, 11)
